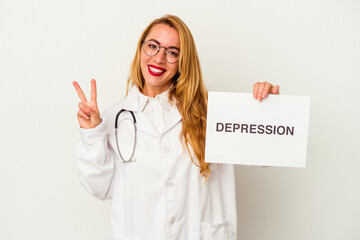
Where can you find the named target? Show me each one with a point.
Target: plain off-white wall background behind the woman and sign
(308, 47)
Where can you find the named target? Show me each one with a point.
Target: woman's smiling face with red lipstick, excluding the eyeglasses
(157, 72)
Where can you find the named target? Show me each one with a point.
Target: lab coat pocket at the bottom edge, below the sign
(220, 231)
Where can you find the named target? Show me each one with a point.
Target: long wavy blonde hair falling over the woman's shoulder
(188, 89)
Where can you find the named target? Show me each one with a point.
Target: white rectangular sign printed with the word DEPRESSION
(242, 130)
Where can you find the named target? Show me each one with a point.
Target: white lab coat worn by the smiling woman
(161, 195)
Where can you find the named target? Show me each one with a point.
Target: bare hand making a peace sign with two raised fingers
(88, 114)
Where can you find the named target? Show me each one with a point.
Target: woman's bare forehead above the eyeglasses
(167, 36)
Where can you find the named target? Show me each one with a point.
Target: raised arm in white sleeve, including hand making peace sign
(94, 158)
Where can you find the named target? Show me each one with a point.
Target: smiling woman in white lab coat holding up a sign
(166, 190)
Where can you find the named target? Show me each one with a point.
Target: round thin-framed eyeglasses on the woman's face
(151, 48)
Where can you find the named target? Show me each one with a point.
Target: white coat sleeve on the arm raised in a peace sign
(96, 161)
